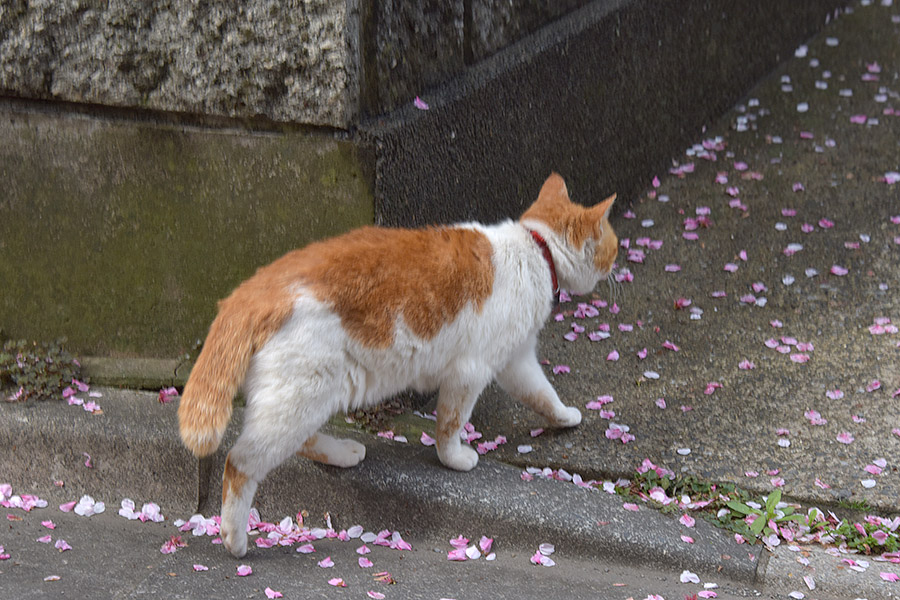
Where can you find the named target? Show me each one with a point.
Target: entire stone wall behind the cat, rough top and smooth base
(154, 154)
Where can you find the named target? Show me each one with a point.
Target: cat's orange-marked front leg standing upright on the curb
(454, 407)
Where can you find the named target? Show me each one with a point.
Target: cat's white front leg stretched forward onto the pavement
(524, 379)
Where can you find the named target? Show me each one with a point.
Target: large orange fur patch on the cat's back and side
(373, 276)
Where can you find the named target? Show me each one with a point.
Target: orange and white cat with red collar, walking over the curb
(346, 322)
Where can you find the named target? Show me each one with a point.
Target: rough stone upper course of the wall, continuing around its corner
(317, 62)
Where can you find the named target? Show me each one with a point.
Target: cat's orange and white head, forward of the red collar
(581, 240)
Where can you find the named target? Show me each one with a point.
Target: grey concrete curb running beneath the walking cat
(136, 453)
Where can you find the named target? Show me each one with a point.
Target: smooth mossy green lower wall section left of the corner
(122, 236)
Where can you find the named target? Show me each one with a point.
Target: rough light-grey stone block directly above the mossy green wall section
(286, 61)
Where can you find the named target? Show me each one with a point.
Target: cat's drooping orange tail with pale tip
(242, 326)
